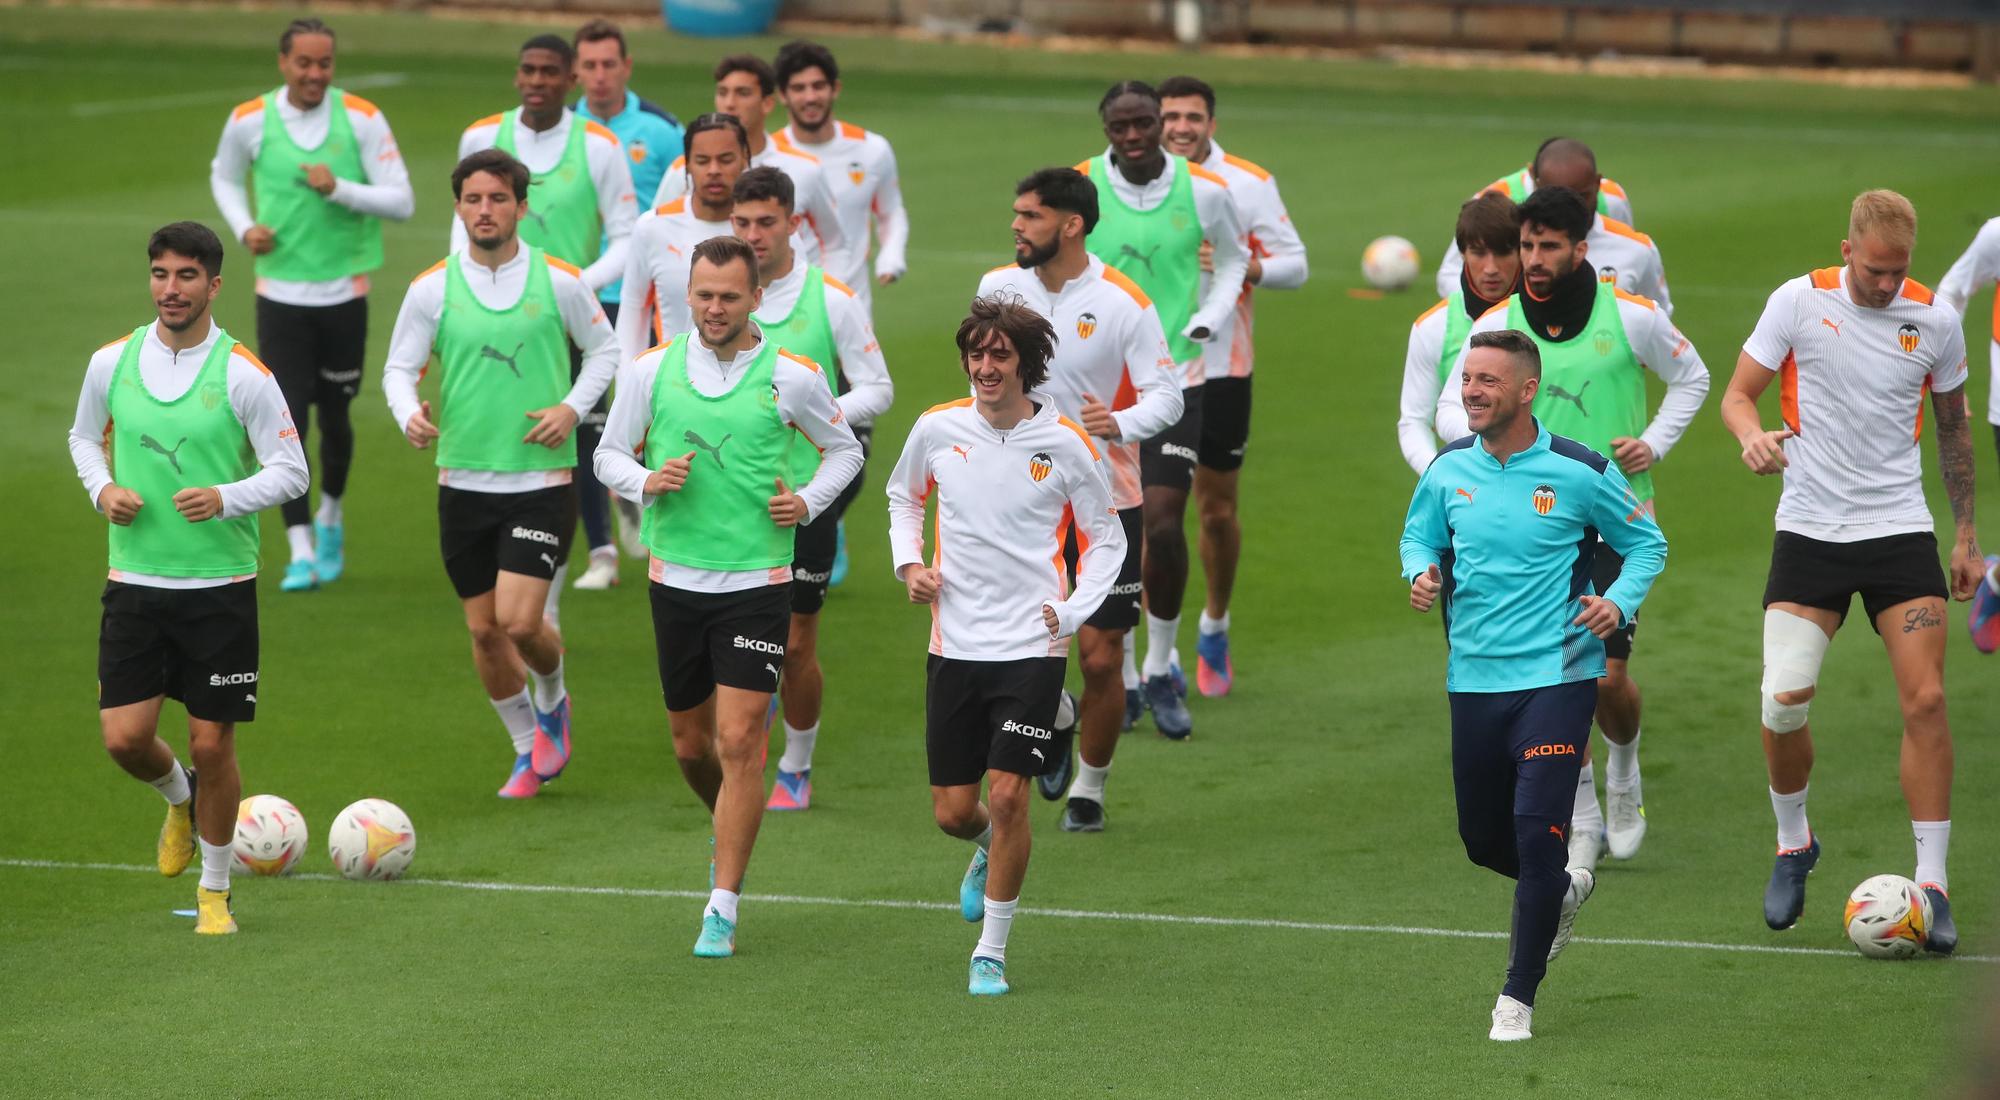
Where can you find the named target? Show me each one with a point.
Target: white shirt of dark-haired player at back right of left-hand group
(861, 175)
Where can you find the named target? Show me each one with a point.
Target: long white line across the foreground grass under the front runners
(1055, 913)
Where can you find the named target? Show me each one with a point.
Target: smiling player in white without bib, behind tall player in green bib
(1277, 263)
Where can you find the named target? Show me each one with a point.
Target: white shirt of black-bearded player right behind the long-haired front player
(1109, 345)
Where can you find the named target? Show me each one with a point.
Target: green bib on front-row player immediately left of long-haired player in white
(721, 519)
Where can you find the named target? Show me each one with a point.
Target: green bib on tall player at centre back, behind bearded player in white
(1159, 249)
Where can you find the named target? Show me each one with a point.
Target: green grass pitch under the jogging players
(1317, 799)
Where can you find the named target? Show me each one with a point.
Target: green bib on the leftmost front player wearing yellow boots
(161, 449)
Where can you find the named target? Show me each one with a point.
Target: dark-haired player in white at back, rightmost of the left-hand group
(859, 167)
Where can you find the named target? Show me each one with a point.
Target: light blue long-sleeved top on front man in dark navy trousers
(1515, 545)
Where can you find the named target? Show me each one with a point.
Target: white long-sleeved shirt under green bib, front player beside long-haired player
(807, 405)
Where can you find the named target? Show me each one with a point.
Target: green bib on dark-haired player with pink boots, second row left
(501, 365)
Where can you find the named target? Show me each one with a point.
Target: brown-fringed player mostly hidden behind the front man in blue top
(1489, 235)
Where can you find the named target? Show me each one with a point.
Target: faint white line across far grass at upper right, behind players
(1449, 121)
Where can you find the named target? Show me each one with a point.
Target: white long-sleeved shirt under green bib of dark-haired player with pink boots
(497, 289)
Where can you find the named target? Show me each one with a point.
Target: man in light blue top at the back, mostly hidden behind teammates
(649, 137)
